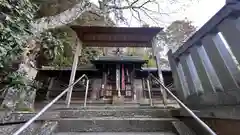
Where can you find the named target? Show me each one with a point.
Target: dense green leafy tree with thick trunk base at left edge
(15, 25)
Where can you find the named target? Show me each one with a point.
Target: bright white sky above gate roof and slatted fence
(199, 11)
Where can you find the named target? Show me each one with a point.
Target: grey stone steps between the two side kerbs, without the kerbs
(115, 120)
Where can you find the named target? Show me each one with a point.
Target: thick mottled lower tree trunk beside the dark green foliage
(22, 99)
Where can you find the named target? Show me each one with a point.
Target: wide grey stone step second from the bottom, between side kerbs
(115, 124)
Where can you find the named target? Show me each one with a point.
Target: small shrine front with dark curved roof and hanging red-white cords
(118, 75)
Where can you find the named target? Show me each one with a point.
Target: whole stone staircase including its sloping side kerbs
(105, 120)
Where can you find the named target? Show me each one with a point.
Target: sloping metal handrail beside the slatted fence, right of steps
(186, 108)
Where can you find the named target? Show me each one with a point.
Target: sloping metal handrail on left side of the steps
(29, 122)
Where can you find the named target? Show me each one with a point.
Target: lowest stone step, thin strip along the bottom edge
(115, 133)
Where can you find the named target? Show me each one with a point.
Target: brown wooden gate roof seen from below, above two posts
(98, 36)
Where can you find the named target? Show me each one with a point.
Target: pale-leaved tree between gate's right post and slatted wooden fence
(171, 38)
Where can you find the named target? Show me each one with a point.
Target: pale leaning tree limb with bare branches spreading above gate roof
(139, 9)
